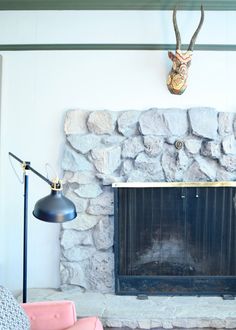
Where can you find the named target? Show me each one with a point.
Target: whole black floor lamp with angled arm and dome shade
(54, 208)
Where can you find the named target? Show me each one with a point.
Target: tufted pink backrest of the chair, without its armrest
(52, 315)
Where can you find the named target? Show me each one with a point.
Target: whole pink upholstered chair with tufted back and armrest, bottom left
(58, 315)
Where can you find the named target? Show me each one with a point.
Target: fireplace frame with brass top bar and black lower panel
(168, 285)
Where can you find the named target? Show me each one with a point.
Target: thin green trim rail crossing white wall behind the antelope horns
(56, 47)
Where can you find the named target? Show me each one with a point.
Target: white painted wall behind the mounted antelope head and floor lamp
(38, 87)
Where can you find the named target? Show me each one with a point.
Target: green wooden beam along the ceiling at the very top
(116, 4)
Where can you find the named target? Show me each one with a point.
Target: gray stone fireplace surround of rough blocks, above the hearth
(103, 147)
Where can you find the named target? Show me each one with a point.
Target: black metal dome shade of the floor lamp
(55, 208)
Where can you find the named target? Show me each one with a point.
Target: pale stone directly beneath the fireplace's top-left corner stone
(84, 143)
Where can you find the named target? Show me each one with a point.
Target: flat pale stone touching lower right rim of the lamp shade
(82, 222)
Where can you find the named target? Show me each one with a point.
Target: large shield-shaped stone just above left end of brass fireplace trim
(106, 160)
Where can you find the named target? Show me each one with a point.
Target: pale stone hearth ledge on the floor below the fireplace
(153, 313)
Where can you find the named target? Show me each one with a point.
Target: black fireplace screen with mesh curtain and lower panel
(175, 240)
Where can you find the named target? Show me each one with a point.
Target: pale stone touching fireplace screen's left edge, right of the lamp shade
(102, 205)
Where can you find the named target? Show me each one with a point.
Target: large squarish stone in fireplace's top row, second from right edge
(204, 122)
